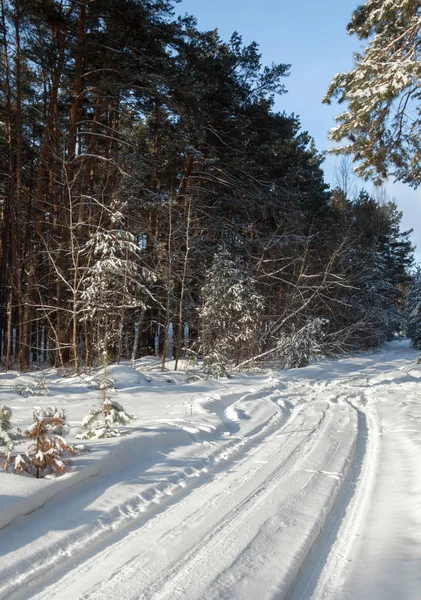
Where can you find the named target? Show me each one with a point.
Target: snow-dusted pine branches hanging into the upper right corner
(382, 120)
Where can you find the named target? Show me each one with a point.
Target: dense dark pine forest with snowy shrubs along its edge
(152, 201)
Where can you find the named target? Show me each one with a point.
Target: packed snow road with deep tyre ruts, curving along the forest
(313, 491)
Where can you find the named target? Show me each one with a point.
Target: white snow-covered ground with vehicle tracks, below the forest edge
(293, 485)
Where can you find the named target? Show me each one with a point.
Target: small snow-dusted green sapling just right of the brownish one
(102, 422)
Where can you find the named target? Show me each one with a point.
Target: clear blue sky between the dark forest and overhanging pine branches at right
(311, 36)
